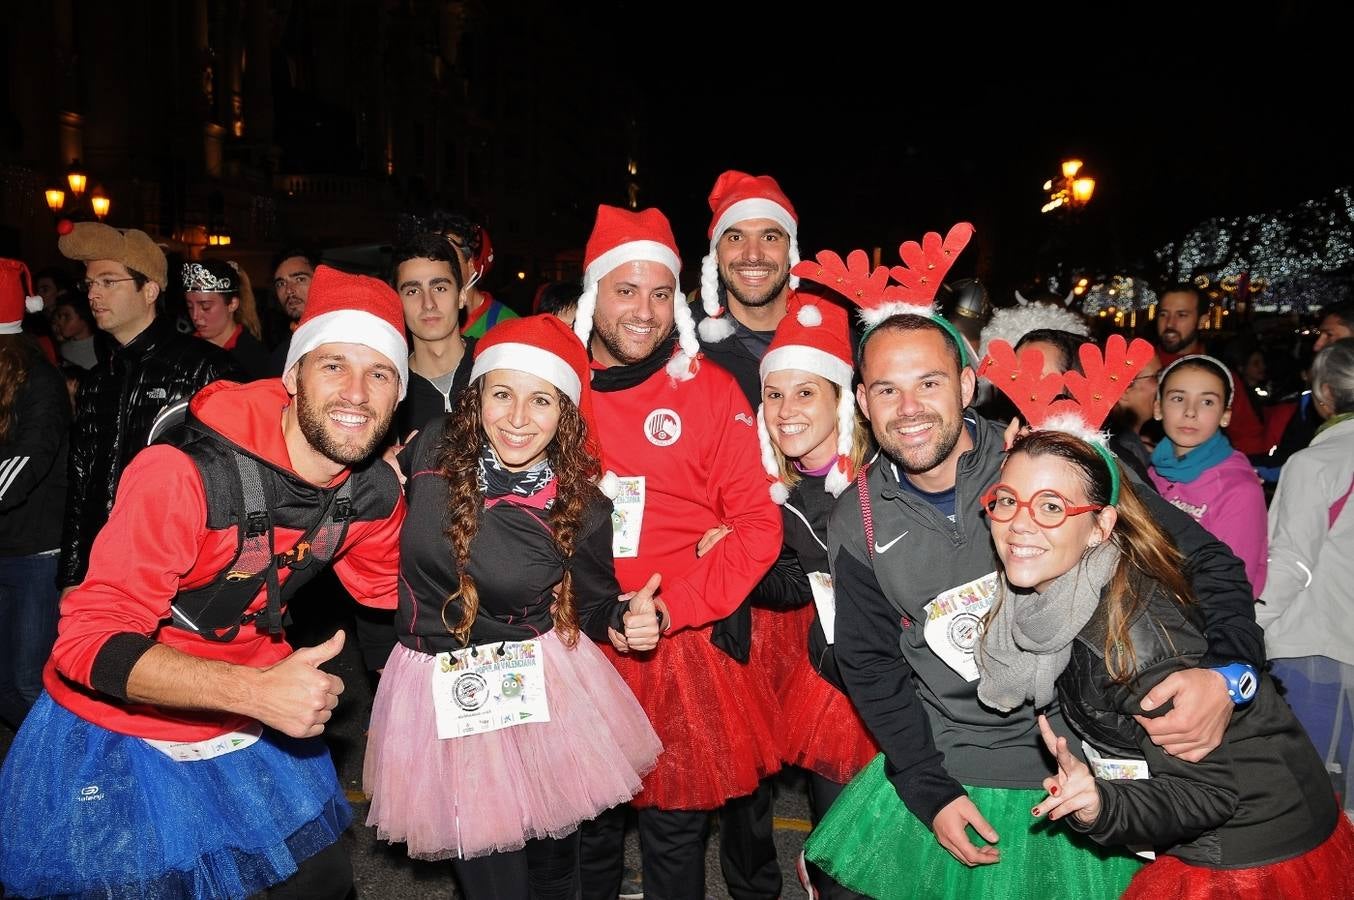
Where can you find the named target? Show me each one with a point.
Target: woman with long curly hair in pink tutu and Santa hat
(499, 726)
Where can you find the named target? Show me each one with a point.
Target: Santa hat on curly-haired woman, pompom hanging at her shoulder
(544, 346)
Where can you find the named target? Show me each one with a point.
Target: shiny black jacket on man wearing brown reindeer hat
(117, 404)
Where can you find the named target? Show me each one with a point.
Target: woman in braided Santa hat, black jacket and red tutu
(813, 445)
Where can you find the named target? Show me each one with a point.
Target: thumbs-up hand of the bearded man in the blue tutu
(294, 695)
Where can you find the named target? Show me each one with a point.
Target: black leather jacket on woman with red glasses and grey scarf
(1261, 798)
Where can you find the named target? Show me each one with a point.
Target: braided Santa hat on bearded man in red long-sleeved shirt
(619, 238)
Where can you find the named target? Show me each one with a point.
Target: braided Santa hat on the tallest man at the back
(736, 198)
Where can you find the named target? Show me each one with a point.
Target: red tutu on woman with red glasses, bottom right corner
(1325, 872)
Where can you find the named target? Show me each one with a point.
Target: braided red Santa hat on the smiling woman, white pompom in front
(813, 338)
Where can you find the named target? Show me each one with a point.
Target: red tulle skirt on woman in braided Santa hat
(823, 732)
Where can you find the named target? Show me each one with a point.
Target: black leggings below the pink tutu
(545, 870)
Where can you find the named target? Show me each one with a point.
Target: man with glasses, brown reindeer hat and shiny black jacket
(151, 367)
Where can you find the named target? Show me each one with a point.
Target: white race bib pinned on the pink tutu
(488, 688)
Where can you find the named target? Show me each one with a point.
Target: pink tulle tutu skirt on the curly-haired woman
(494, 792)
